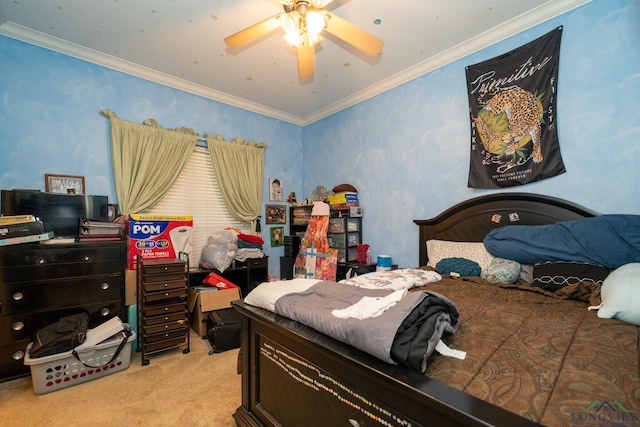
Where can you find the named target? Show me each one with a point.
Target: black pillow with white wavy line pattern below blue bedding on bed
(555, 275)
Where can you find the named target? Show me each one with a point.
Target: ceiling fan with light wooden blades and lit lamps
(303, 21)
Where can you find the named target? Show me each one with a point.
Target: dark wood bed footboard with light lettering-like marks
(293, 375)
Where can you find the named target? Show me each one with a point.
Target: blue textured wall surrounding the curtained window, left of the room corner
(50, 122)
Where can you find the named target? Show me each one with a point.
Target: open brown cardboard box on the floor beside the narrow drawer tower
(203, 299)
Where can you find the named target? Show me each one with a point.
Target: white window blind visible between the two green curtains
(196, 193)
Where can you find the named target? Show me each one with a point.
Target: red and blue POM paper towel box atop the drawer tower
(158, 236)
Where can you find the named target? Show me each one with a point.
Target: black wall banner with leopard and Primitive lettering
(512, 104)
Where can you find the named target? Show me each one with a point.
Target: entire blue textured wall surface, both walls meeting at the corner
(405, 150)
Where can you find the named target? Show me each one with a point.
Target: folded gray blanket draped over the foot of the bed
(405, 334)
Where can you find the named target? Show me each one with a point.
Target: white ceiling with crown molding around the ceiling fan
(179, 43)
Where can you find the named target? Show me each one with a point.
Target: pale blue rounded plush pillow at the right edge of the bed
(620, 294)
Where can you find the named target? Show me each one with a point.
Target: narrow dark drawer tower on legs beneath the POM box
(163, 318)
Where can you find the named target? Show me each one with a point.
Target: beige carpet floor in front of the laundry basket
(175, 389)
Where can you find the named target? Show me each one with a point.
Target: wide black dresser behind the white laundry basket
(40, 283)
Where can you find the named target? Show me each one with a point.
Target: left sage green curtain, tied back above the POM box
(147, 159)
